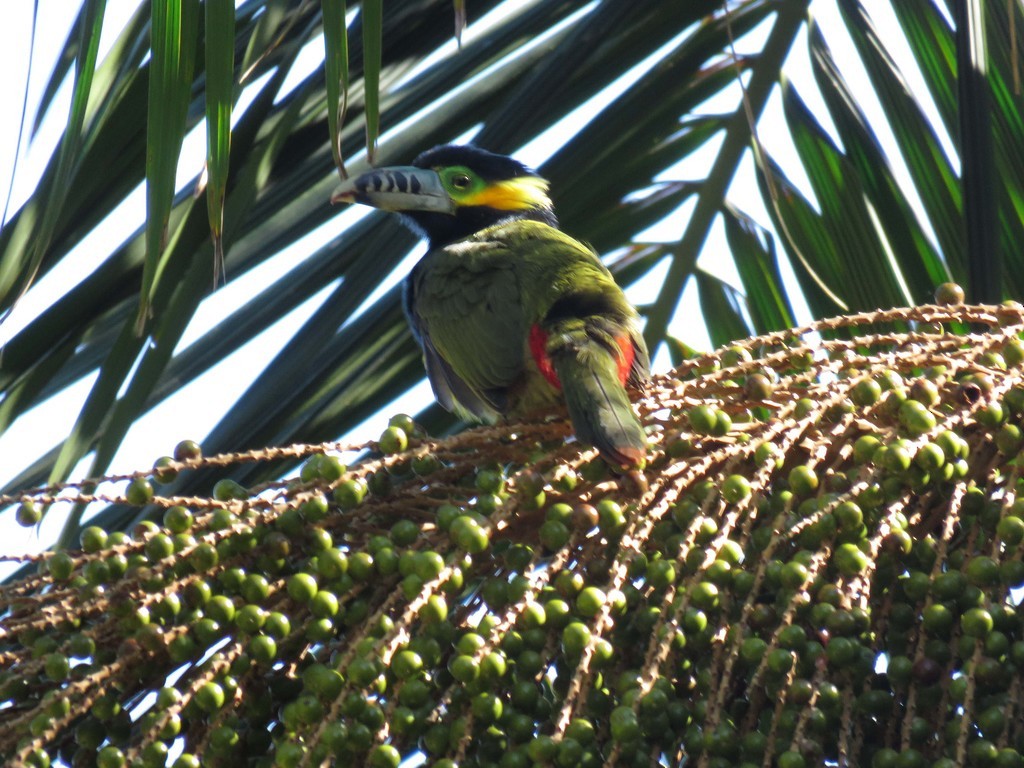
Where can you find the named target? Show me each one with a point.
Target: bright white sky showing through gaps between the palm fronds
(157, 434)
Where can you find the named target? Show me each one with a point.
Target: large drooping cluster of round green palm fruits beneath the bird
(818, 568)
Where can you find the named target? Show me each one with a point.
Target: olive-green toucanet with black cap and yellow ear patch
(513, 315)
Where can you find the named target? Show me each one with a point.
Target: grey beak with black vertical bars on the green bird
(397, 189)
